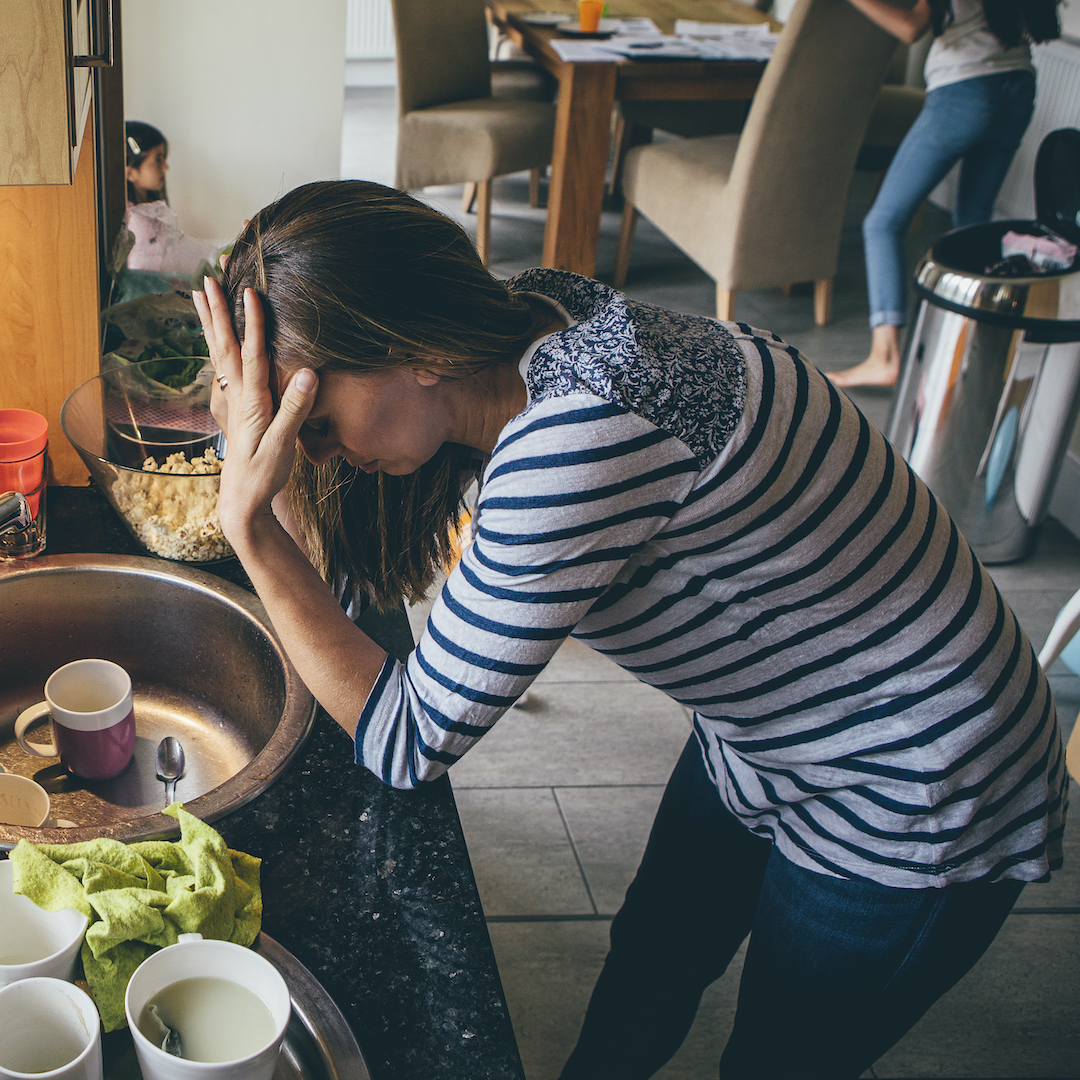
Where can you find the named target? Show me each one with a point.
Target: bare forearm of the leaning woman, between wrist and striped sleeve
(337, 661)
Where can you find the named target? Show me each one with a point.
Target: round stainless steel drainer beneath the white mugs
(319, 1043)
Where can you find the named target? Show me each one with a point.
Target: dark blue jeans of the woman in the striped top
(835, 974)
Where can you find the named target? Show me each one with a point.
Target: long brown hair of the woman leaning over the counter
(359, 278)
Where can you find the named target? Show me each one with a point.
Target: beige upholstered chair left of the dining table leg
(451, 128)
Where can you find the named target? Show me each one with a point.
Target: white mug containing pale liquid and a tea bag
(195, 958)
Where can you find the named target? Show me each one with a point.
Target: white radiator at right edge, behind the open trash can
(1057, 105)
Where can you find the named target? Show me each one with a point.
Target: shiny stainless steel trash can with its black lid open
(991, 383)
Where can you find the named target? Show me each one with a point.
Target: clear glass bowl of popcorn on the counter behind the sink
(146, 435)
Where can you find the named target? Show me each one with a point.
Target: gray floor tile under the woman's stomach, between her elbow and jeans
(575, 734)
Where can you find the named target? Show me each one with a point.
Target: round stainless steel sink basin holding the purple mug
(206, 667)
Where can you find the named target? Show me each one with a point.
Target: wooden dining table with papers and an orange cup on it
(589, 90)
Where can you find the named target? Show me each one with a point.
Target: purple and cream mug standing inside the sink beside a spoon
(90, 703)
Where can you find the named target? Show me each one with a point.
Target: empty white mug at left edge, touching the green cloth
(36, 943)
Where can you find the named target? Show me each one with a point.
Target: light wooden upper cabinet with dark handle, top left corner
(46, 88)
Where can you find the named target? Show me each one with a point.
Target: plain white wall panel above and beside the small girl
(248, 92)
